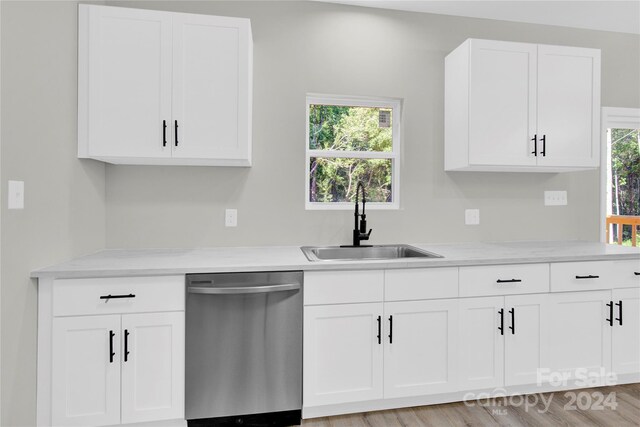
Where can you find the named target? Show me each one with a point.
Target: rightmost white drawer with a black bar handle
(583, 276)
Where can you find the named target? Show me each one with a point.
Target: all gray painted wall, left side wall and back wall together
(299, 48)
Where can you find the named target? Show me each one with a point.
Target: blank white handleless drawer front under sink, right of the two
(420, 283)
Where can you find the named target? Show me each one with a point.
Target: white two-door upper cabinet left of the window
(164, 88)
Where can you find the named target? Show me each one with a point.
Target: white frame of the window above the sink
(360, 101)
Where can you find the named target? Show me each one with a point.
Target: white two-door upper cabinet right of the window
(521, 107)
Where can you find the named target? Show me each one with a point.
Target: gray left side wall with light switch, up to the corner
(64, 213)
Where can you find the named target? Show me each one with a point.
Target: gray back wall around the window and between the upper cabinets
(313, 47)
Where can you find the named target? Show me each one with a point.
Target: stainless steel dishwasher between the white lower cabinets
(244, 349)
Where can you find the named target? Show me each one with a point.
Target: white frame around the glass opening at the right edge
(612, 117)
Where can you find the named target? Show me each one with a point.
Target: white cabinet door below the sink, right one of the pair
(421, 356)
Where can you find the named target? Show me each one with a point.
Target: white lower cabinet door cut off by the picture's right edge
(626, 331)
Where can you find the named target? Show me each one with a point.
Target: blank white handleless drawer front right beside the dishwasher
(339, 287)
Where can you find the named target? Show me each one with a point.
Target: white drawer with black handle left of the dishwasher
(72, 297)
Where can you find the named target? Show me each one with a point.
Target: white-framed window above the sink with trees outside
(351, 139)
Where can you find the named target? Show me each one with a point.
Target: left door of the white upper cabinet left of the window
(129, 82)
